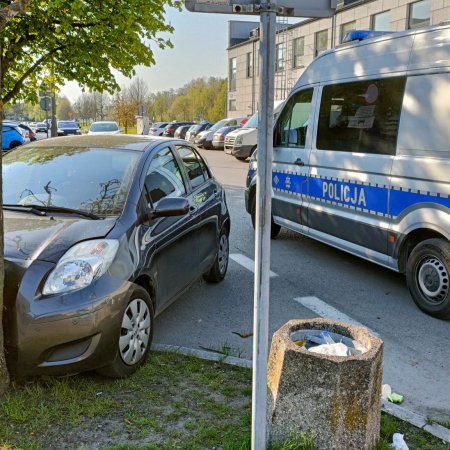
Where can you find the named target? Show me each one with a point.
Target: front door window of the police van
(293, 122)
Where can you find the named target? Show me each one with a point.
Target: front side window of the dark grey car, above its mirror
(163, 177)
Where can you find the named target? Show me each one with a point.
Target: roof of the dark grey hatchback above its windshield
(124, 141)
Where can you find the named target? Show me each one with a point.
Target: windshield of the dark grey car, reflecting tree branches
(94, 180)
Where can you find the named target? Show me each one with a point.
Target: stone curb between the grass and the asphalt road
(401, 413)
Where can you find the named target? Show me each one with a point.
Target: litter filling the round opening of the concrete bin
(327, 343)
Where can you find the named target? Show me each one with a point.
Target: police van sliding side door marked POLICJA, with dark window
(350, 165)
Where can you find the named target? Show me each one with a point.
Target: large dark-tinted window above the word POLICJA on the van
(361, 117)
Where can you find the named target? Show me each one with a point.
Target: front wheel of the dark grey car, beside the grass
(136, 331)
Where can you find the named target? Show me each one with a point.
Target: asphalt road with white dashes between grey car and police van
(312, 280)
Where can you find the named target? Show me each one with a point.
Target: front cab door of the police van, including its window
(292, 144)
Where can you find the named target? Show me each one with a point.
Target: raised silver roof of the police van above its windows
(423, 49)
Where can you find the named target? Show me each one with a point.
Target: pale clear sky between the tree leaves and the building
(200, 43)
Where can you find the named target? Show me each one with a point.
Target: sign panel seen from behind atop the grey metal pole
(292, 8)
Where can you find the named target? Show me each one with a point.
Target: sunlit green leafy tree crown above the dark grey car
(77, 40)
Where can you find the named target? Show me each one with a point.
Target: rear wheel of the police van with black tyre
(428, 277)
